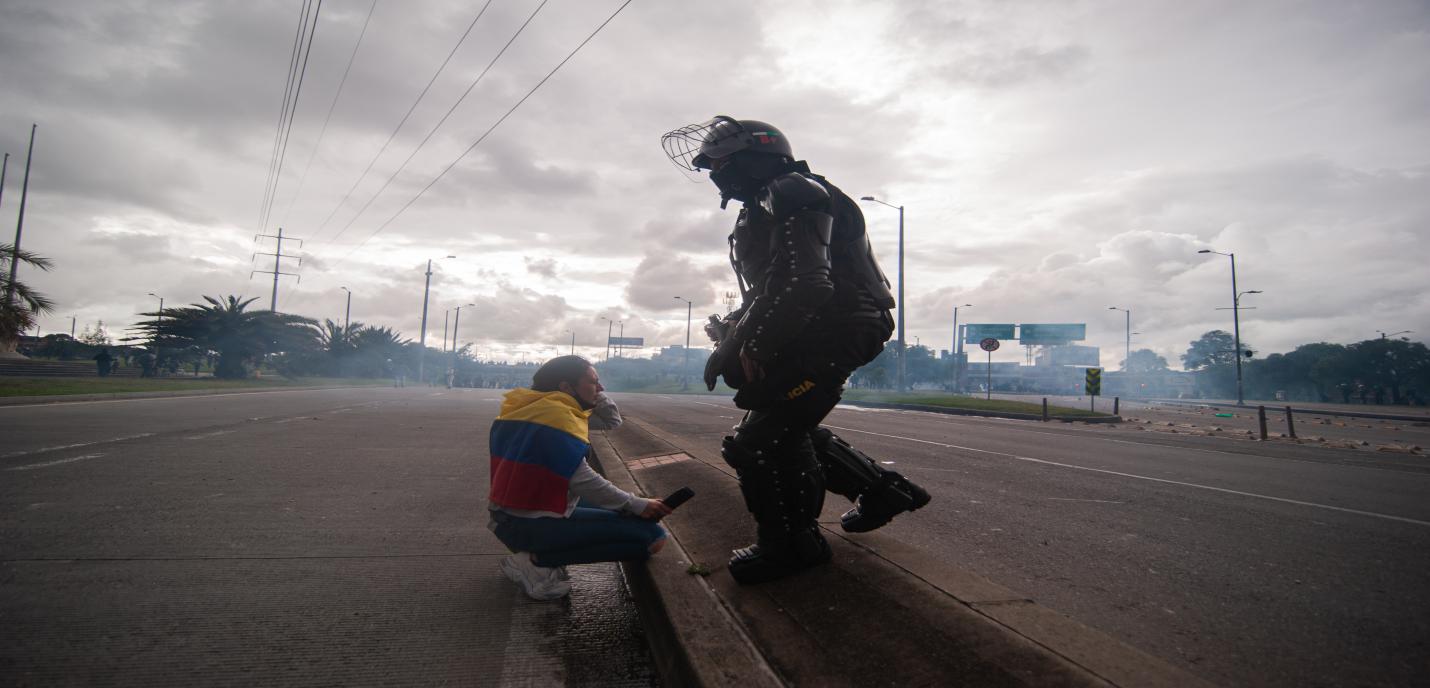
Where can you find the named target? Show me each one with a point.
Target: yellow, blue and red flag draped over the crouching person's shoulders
(538, 441)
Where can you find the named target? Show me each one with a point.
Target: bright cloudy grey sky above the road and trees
(1055, 158)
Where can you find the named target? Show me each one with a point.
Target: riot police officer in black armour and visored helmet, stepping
(816, 307)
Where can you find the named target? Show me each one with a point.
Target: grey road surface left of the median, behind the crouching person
(280, 539)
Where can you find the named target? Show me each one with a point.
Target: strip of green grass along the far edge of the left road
(58, 387)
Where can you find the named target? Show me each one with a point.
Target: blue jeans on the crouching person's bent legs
(588, 536)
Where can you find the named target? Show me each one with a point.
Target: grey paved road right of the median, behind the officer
(1248, 564)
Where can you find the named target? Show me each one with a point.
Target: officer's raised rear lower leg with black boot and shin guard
(879, 494)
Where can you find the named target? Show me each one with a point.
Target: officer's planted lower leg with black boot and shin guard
(784, 493)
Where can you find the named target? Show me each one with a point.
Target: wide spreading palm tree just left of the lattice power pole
(238, 337)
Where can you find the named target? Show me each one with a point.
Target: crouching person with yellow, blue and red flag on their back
(547, 504)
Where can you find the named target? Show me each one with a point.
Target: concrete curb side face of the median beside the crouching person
(694, 639)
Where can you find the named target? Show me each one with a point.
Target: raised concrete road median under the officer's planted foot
(880, 614)
